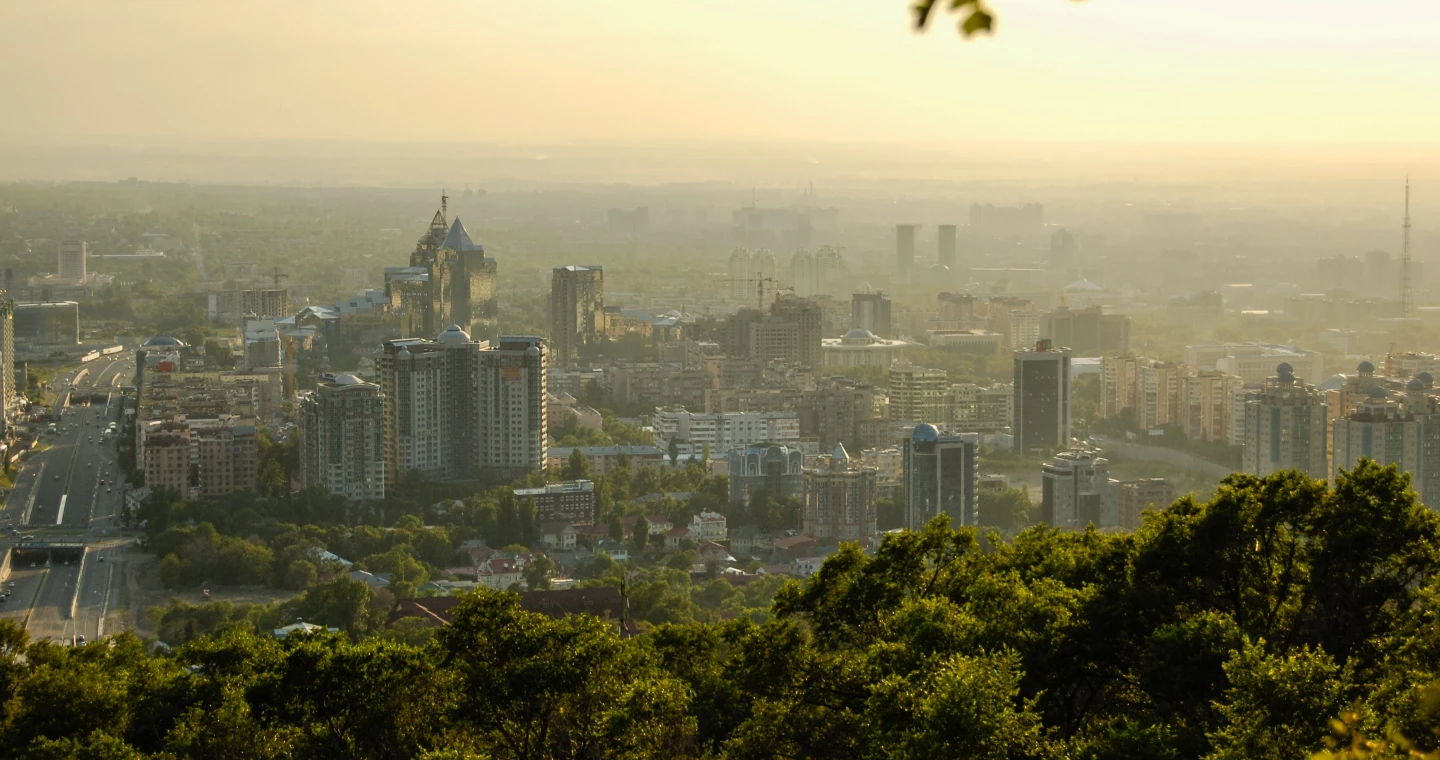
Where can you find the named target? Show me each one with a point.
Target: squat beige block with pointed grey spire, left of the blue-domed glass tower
(840, 500)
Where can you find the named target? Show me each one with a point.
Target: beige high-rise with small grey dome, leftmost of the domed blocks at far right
(1285, 428)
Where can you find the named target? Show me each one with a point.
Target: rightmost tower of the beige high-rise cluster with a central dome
(510, 392)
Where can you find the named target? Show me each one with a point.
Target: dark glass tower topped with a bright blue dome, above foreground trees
(941, 477)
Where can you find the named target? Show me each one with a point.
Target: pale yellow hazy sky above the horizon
(578, 71)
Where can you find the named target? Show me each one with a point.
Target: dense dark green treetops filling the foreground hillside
(1274, 620)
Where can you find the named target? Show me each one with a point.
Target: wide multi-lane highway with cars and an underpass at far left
(68, 494)
